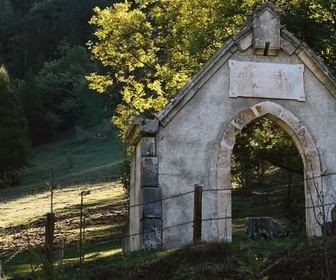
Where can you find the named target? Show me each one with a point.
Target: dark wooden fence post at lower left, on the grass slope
(48, 246)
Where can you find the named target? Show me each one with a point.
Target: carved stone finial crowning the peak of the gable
(266, 30)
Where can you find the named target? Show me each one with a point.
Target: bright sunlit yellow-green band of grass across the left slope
(23, 220)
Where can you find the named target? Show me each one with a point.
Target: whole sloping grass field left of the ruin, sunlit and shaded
(82, 161)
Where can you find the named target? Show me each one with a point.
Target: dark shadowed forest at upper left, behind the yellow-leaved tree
(43, 47)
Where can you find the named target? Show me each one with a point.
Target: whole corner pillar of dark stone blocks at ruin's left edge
(144, 225)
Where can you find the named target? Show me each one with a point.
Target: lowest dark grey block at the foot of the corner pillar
(152, 233)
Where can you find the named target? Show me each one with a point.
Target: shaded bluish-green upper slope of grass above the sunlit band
(71, 163)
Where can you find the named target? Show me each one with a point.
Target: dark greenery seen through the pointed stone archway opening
(267, 177)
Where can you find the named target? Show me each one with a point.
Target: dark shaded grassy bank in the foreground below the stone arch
(272, 259)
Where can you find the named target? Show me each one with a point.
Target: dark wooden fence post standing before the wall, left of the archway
(197, 233)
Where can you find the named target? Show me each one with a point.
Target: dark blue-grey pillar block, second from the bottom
(152, 202)
